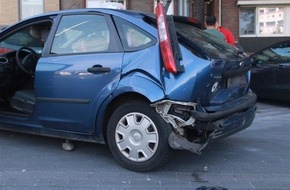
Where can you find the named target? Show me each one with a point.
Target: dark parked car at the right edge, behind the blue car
(271, 70)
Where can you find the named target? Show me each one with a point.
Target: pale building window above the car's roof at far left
(30, 8)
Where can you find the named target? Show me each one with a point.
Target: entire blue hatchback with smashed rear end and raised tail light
(143, 84)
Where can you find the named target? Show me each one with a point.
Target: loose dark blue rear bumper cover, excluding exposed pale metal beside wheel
(228, 119)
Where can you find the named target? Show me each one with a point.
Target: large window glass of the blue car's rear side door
(81, 34)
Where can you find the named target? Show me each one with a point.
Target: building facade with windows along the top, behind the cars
(254, 23)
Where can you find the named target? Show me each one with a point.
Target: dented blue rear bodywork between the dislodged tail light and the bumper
(204, 80)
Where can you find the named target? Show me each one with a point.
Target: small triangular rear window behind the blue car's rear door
(133, 37)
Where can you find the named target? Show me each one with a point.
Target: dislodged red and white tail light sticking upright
(164, 40)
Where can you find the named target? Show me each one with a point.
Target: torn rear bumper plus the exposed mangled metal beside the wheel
(194, 126)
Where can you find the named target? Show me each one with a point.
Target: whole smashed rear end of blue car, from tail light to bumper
(220, 103)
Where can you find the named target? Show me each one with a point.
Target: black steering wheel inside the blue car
(28, 63)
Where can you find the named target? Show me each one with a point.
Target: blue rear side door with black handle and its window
(80, 68)
